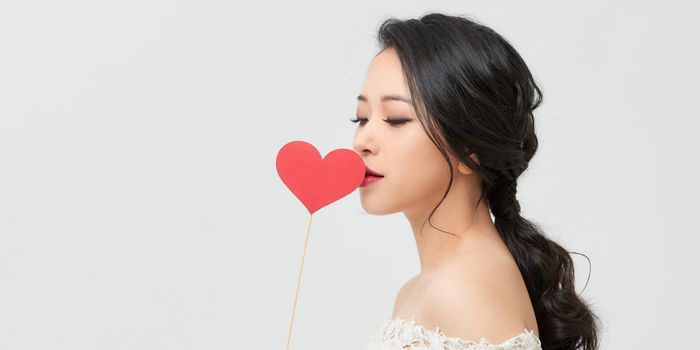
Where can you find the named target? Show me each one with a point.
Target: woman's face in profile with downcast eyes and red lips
(415, 173)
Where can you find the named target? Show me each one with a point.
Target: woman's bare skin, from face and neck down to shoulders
(469, 285)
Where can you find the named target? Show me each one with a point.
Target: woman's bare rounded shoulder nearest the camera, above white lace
(479, 298)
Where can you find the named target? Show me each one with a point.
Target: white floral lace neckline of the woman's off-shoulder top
(401, 334)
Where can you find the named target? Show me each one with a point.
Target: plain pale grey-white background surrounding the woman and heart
(140, 207)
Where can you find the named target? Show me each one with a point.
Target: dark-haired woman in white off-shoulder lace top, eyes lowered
(445, 124)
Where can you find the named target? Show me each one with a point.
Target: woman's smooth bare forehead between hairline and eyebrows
(384, 76)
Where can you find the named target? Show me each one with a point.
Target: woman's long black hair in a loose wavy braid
(473, 93)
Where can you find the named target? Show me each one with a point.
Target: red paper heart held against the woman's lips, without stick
(318, 182)
